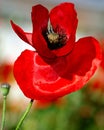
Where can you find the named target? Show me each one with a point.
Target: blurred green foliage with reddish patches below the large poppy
(83, 109)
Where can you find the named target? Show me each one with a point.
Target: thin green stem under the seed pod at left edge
(3, 114)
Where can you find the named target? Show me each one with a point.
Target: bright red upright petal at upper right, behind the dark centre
(64, 16)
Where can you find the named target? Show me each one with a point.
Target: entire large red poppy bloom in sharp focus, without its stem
(59, 65)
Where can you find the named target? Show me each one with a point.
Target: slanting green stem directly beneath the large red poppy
(24, 115)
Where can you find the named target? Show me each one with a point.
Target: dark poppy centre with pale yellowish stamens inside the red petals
(55, 39)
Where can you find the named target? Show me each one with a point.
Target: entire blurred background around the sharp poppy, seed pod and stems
(81, 110)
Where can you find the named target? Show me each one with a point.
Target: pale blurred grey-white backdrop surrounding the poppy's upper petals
(90, 15)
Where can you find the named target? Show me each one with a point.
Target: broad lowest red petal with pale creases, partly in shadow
(39, 80)
